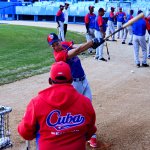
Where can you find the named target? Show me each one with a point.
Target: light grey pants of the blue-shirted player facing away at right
(137, 42)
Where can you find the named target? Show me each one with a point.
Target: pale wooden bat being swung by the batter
(141, 15)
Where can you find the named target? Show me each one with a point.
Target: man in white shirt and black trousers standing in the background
(66, 18)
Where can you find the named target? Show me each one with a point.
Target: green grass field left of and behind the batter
(24, 51)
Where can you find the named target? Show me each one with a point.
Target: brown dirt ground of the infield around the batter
(120, 92)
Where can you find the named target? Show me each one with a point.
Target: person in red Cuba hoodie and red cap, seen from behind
(68, 118)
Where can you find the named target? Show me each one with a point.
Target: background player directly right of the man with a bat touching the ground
(110, 23)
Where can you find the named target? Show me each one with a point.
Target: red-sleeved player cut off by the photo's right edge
(148, 29)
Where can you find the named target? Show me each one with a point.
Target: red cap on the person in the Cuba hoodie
(60, 72)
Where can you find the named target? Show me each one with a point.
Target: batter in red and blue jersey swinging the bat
(65, 51)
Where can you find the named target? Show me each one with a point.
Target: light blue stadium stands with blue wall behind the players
(76, 10)
